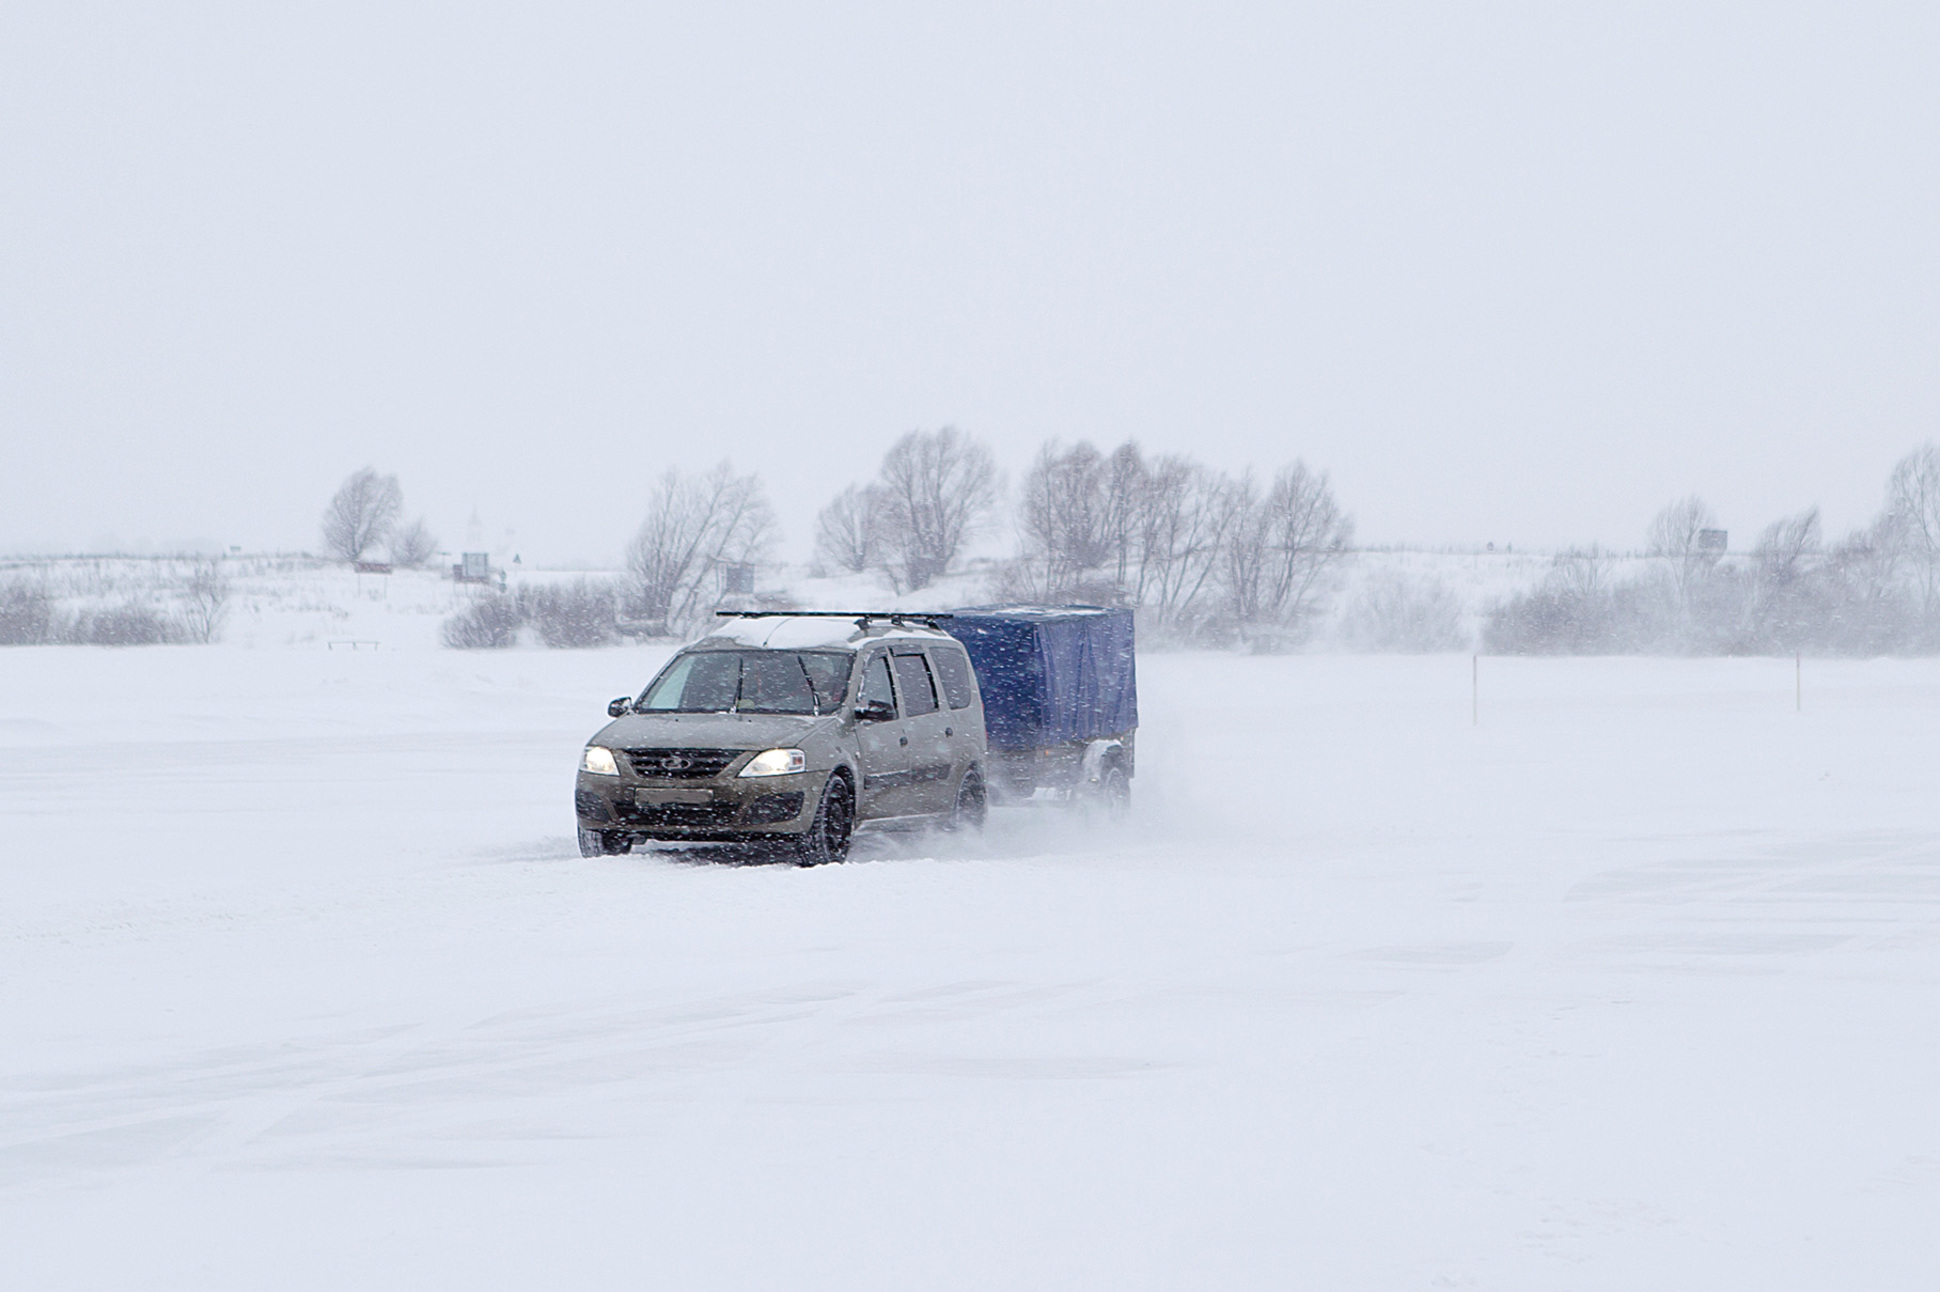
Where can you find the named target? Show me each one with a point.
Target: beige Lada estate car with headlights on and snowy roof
(791, 730)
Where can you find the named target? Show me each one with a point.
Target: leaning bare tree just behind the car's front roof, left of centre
(692, 527)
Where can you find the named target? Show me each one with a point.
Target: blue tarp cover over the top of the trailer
(1051, 674)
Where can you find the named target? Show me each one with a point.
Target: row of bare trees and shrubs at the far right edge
(1877, 591)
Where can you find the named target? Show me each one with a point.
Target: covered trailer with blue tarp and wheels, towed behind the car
(1060, 692)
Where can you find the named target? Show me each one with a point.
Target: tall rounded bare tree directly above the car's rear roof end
(936, 488)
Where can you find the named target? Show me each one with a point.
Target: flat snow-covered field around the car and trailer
(1636, 985)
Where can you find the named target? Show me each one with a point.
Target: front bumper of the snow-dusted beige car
(719, 810)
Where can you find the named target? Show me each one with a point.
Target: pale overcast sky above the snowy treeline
(1508, 273)
